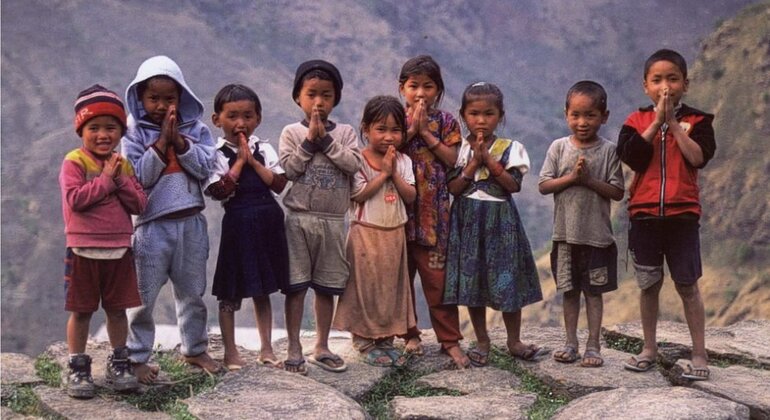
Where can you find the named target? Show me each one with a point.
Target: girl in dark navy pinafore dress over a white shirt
(253, 259)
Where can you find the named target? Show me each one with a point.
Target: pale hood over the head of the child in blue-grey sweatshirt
(190, 107)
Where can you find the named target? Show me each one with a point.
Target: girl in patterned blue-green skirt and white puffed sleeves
(489, 263)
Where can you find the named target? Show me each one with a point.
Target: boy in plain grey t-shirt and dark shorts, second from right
(583, 173)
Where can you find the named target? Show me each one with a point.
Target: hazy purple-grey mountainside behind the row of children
(533, 49)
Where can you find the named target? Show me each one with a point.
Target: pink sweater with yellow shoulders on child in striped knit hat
(97, 209)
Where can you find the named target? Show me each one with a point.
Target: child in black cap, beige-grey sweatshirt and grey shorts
(320, 157)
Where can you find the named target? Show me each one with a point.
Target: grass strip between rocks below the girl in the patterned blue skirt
(547, 402)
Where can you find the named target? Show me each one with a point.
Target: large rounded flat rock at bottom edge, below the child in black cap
(265, 393)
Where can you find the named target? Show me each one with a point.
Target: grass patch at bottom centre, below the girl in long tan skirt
(400, 382)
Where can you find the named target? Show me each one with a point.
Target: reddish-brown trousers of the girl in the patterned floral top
(445, 319)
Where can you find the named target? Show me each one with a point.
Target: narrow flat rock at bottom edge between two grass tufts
(467, 407)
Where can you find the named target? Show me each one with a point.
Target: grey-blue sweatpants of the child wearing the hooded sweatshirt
(175, 249)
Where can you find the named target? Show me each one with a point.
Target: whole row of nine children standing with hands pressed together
(395, 193)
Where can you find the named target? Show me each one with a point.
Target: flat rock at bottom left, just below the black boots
(55, 401)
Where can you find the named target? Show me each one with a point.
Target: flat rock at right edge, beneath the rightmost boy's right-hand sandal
(750, 387)
